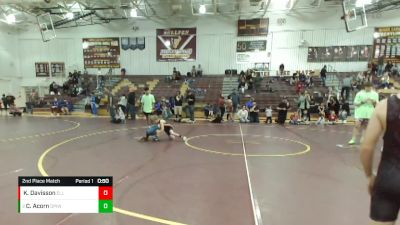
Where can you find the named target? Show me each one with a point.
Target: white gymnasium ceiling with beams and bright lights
(68, 13)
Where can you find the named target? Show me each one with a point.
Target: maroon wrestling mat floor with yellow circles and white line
(304, 175)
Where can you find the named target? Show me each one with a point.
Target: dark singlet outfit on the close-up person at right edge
(385, 201)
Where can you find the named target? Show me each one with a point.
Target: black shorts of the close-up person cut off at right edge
(385, 200)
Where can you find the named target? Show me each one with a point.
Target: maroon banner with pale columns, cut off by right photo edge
(387, 44)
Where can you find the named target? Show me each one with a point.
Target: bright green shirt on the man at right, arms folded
(364, 110)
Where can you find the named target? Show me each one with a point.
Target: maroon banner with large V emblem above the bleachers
(176, 44)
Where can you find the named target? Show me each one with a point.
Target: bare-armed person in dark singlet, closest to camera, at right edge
(384, 188)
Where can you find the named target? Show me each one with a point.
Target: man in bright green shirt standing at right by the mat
(364, 103)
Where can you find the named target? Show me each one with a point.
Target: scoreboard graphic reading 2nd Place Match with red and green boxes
(65, 194)
